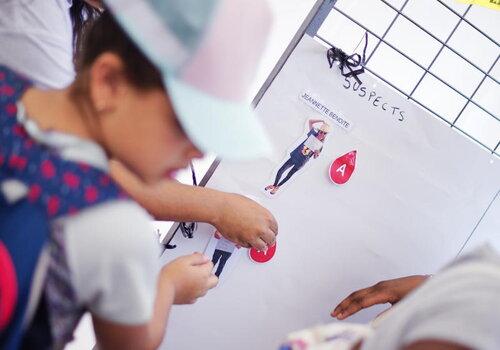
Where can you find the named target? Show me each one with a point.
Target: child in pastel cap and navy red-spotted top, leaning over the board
(96, 256)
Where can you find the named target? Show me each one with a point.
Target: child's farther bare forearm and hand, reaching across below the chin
(252, 226)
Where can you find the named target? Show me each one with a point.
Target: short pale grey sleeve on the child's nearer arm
(113, 257)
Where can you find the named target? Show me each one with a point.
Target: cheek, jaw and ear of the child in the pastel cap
(139, 126)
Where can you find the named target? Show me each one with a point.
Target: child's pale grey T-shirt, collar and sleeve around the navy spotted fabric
(106, 257)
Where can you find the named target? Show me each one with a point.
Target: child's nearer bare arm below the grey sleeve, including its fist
(182, 281)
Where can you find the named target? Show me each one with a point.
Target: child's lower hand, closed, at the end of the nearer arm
(191, 277)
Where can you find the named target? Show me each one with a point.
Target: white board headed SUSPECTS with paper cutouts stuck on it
(417, 193)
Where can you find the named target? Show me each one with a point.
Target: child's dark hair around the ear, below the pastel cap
(106, 35)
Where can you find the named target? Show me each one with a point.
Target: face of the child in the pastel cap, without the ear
(150, 140)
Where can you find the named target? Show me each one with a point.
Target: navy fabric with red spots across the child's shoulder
(60, 186)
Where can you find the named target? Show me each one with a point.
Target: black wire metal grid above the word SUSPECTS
(426, 70)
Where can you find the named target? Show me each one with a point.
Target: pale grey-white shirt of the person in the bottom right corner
(460, 304)
